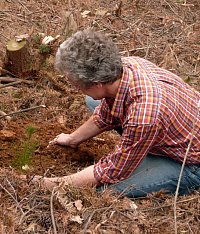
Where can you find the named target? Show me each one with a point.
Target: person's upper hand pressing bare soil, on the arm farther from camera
(64, 140)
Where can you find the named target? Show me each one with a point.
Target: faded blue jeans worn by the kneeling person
(155, 173)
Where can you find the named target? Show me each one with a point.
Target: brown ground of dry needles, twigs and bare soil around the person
(164, 31)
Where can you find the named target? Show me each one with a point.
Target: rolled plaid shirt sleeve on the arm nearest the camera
(128, 154)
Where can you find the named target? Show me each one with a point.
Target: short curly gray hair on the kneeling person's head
(87, 57)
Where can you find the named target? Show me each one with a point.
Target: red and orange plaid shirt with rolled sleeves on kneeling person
(156, 110)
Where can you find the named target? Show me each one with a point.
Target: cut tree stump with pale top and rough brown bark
(18, 58)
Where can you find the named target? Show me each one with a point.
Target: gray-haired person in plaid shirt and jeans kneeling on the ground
(151, 108)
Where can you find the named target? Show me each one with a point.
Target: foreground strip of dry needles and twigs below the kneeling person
(28, 209)
